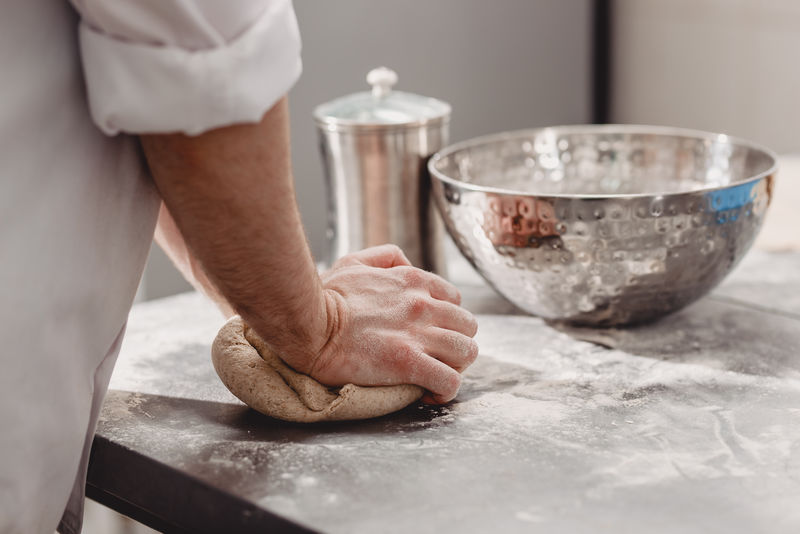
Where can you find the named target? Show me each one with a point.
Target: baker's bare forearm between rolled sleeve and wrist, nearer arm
(231, 194)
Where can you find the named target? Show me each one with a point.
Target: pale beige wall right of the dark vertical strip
(723, 65)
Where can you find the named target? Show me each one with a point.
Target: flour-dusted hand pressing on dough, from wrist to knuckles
(391, 323)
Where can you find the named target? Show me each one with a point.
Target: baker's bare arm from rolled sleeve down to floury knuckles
(372, 320)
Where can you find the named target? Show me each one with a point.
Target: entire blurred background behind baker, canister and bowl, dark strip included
(721, 65)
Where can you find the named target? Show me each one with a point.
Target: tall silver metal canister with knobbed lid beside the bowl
(375, 146)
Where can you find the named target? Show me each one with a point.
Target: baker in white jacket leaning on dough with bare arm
(128, 117)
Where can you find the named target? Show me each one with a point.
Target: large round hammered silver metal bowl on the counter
(603, 225)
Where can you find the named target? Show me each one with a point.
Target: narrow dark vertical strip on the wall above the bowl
(601, 61)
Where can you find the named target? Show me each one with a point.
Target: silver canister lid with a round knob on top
(381, 108)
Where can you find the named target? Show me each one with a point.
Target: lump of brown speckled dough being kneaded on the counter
(264, 382)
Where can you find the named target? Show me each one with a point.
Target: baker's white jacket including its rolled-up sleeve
(77, 208)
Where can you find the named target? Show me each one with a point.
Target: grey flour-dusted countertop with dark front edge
(690, 424)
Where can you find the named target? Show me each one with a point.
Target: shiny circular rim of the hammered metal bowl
(599, 128)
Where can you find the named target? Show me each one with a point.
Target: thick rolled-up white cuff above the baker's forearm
(150, 88)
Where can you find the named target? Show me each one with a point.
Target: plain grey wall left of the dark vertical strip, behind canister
(503, 65)
